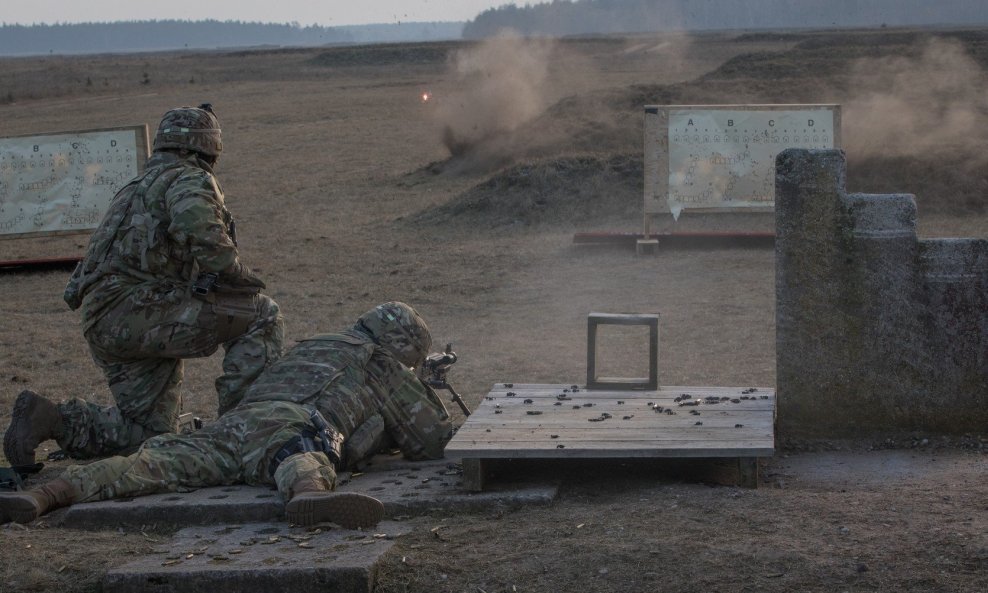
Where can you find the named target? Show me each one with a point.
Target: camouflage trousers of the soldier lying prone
(237, 448)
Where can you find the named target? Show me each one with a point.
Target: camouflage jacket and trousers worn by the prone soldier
(359, 386)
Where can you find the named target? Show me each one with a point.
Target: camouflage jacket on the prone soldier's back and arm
(350, 380)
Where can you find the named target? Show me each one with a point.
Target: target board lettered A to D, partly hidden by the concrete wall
(722, 157)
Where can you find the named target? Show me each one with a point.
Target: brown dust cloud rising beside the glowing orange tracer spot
(499, 85)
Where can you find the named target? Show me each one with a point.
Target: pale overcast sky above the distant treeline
(305, 12)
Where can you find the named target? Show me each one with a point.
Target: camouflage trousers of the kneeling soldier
(140, 346)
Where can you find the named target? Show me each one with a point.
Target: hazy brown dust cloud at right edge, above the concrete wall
(911, 106)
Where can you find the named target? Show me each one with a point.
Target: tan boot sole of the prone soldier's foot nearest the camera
(347, 509)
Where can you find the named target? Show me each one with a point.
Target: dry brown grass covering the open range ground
(331, 161)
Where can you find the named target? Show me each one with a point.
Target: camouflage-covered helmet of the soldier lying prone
(399, 329)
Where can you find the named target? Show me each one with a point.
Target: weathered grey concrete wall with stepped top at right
(876, 331)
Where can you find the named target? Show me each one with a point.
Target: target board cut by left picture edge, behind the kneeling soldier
(62, 183)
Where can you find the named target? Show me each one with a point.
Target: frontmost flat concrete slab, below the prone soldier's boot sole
(259, 557)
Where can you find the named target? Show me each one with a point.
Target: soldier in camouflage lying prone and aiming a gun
(332, 400)
